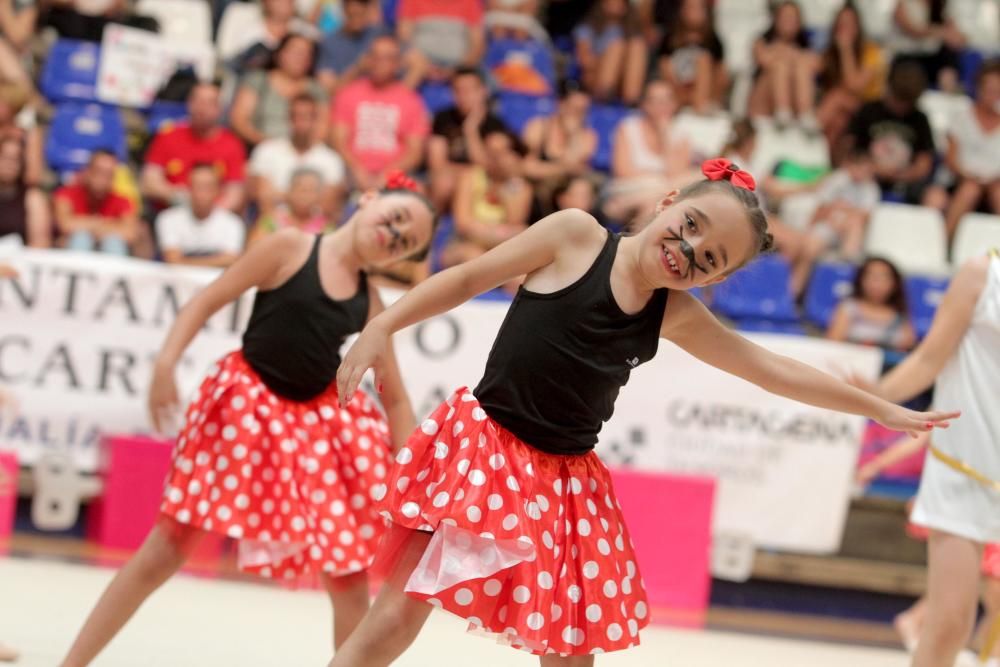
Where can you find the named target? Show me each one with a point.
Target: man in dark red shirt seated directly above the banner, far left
(90, 216)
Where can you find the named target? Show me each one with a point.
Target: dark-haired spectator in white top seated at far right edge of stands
(973, 150)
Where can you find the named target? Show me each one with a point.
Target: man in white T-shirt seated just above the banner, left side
(201, 233)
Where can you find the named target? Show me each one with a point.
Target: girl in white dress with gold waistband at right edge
(959, 497)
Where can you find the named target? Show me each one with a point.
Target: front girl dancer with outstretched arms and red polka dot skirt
(501, 511)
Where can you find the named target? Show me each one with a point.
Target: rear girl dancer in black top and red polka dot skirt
(266, 456)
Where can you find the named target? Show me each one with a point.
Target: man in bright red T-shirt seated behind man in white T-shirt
(177, 148)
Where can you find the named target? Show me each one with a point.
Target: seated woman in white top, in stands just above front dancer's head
(649, 157)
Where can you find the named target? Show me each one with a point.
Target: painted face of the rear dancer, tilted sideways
(392, 227)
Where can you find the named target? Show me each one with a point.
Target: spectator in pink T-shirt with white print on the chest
(379, 124)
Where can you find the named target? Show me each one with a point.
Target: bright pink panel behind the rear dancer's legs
(135, 468)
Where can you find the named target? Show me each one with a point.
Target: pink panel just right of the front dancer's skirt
(670, 520)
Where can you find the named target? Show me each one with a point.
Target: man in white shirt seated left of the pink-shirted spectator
(274, 161)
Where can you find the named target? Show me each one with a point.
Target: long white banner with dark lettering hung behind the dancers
(78, 334)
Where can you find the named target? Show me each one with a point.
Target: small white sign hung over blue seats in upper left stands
(136, 63)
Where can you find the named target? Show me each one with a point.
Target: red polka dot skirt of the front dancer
(528, 546)
